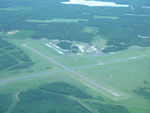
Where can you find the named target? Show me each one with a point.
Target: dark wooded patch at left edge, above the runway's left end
(12, 58)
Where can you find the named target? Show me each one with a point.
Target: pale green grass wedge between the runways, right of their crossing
(118, 74)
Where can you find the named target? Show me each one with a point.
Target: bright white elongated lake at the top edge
(95, 3)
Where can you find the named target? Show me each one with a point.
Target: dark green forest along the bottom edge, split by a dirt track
(54, 98)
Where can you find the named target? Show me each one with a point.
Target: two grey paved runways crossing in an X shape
(72, 70)
